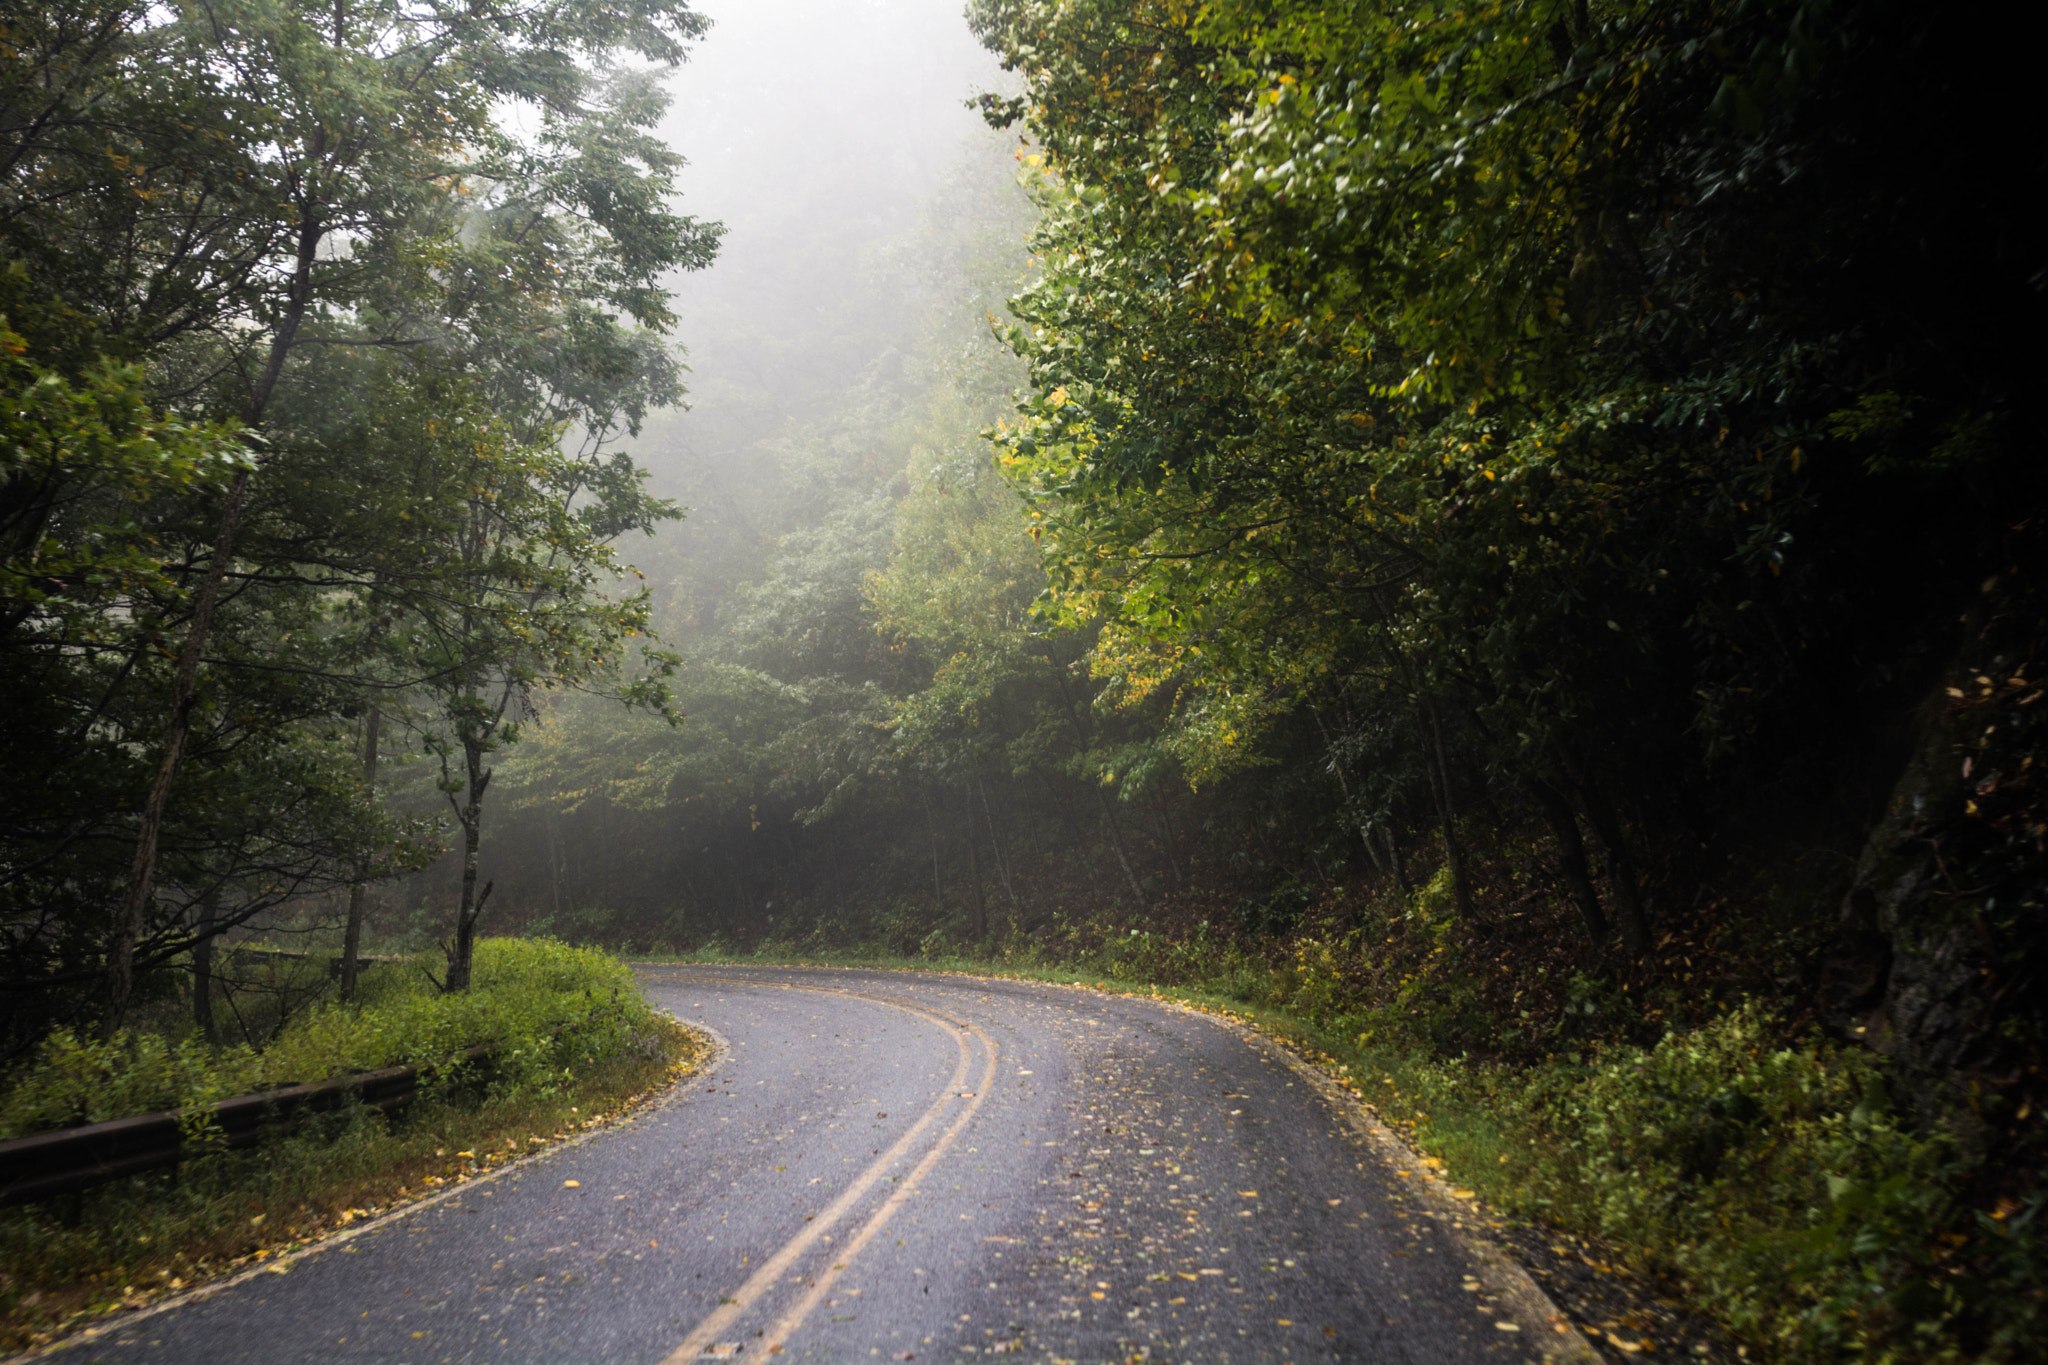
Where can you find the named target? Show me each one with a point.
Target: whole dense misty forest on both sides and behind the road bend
(1517, 525)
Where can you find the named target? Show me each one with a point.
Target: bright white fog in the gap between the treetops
(818, 134)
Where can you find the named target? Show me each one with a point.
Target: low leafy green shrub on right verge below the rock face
(1777, 1182)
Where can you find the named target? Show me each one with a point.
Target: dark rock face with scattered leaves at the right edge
(1945, 940)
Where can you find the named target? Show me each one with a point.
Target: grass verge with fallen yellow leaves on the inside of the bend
(583, 1061)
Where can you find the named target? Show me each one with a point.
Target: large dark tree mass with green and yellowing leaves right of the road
(1455, 359)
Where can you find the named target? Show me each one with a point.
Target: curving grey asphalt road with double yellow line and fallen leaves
(916, 1168)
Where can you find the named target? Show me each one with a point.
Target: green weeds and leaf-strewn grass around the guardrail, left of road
(574, 1049)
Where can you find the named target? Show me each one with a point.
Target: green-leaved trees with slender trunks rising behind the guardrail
(316, 236)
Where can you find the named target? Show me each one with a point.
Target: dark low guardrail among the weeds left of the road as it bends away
(71, 1159)
